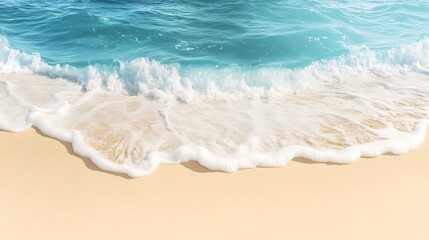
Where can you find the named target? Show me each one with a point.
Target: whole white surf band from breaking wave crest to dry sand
(143, 113)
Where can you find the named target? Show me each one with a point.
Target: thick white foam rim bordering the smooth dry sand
(245, 158)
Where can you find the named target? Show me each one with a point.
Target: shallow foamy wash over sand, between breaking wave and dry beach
(125, 128)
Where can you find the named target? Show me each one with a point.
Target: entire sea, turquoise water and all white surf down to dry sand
(230, 84)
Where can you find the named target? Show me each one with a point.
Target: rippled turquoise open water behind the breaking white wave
(199, 32)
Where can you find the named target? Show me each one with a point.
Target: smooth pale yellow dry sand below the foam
(46, 192)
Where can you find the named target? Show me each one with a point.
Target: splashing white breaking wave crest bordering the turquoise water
(166, 82)
